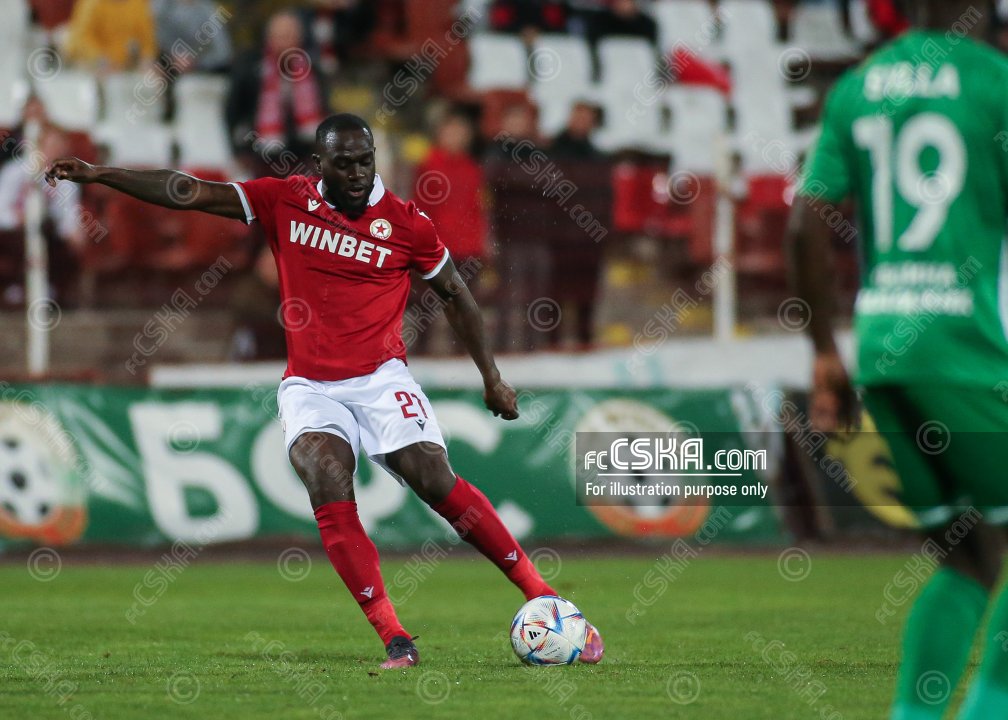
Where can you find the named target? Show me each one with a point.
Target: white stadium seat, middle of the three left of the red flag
(562, 74)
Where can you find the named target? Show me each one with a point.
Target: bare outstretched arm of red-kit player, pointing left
(170, 189)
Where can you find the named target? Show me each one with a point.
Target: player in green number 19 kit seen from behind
(917, 136)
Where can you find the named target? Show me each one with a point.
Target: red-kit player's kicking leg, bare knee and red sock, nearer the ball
(425, 468)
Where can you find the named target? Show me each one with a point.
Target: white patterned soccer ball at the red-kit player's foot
(549, 631)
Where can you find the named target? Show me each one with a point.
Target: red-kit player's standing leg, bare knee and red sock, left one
(326, 463)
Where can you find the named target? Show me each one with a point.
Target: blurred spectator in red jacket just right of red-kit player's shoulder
(450, 188)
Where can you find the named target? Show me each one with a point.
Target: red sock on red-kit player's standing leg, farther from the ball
(356, 560)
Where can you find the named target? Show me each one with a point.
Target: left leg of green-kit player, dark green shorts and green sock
(945, 618)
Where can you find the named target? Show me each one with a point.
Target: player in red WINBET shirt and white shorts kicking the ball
(345, 248)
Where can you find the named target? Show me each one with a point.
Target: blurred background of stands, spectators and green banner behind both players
(612, 178)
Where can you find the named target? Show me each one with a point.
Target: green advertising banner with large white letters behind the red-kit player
(144, 467)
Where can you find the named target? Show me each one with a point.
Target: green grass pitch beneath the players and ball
(730, 638)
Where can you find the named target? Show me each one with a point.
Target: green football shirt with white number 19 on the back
(919, 136)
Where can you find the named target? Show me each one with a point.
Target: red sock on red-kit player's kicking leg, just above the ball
(477, 523)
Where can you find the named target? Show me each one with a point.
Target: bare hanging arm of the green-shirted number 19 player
(833, 403)
